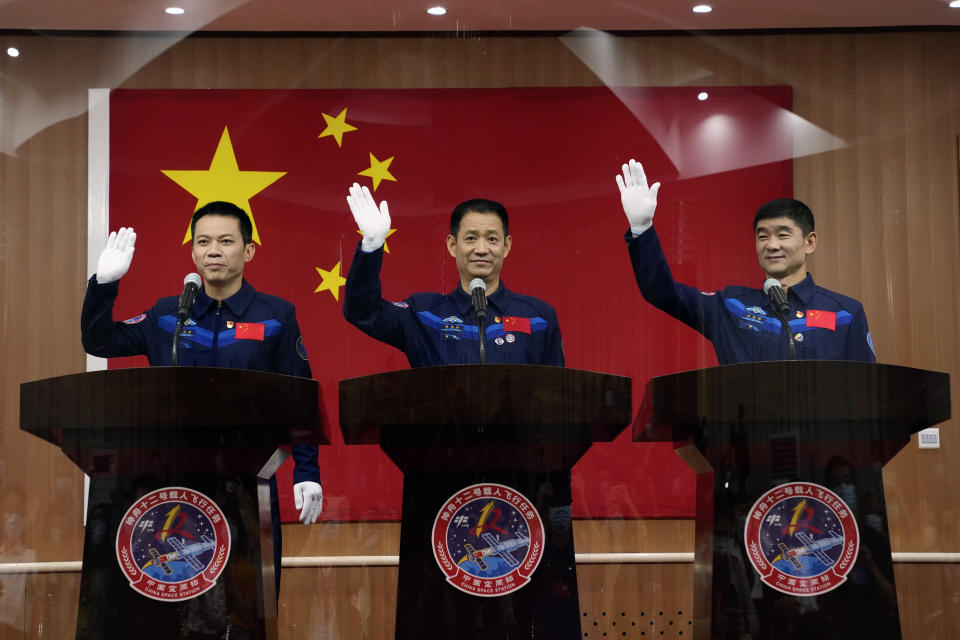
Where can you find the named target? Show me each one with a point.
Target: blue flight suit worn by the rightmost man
(741, 322)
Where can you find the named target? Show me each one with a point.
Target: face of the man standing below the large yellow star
(218, 250)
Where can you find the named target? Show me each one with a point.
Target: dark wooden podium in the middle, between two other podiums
(456, 429)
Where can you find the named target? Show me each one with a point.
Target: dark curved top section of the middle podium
(471, 395)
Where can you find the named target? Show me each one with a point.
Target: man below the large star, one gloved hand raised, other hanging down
(231, 325)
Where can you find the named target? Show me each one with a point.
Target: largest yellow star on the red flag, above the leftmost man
(224, 181)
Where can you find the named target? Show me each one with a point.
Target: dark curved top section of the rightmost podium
(792, 392)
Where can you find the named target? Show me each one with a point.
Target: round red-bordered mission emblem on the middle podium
(488, 539)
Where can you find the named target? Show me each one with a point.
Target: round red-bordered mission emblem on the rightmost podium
(801, 538)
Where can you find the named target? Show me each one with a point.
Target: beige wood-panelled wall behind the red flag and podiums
(886, 204)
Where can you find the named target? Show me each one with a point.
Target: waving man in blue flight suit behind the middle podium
(436, 328)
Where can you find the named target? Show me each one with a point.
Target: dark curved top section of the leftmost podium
(173, 397)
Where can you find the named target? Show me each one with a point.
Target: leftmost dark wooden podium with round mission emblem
(180, 460)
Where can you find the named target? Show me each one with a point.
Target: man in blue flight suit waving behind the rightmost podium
(741, 321)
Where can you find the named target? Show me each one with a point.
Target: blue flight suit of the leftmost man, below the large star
(208, 340)
